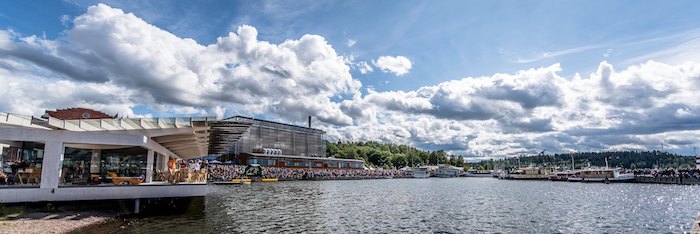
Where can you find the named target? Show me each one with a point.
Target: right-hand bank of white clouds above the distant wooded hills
(537, 109)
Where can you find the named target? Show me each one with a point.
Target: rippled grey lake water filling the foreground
(457, 205)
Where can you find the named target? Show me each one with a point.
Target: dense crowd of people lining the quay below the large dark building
(225, 172)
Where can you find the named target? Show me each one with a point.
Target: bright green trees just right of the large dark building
(387, 155)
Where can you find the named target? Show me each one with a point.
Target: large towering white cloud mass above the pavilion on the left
(110, 47)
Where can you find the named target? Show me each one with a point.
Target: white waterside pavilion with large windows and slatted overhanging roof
(50, 159)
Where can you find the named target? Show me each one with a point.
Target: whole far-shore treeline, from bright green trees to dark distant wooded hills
(388, 155)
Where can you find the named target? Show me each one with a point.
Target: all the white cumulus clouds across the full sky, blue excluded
(114, 61)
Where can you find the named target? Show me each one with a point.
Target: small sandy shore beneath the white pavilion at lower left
(58, 222)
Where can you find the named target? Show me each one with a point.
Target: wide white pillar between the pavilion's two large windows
(51, 165)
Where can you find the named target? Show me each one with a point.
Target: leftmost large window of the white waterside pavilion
(21, 164)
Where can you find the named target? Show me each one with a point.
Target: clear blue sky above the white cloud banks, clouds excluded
(444, 39)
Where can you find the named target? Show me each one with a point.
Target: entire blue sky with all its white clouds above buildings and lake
(476, 78)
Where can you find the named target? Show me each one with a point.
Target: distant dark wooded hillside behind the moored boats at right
(625, 159)
